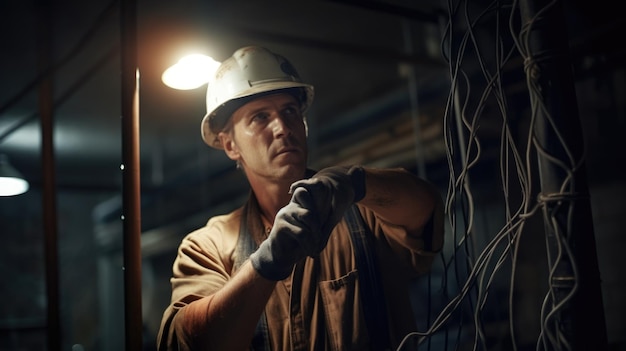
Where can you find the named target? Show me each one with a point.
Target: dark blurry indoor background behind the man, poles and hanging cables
(382, 73)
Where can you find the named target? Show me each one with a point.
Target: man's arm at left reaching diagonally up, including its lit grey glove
(226, 319)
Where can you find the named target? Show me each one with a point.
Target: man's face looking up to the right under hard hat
(267, 136)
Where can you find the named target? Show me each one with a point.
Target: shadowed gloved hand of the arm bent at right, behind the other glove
(334, 190)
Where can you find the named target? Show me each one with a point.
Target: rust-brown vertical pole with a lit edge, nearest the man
(131, 202)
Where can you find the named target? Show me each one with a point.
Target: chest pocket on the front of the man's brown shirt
(342, 312)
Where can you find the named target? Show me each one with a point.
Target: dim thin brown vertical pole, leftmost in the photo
(46, 108)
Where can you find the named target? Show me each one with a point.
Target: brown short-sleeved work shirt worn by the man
(319, 306)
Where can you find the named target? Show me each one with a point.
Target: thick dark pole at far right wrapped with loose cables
(565, 193)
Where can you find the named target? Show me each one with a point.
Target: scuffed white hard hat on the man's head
(251, 71)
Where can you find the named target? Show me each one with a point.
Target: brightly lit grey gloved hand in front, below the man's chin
(295, 235)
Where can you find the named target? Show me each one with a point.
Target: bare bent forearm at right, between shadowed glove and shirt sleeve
(401, 198)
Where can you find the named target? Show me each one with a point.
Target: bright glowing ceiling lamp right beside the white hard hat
(190, 72)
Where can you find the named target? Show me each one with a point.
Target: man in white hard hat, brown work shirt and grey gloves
(285, 271)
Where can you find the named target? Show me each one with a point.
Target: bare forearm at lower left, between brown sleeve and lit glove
(227, 319)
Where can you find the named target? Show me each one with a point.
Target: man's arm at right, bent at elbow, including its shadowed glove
(395, 195)
